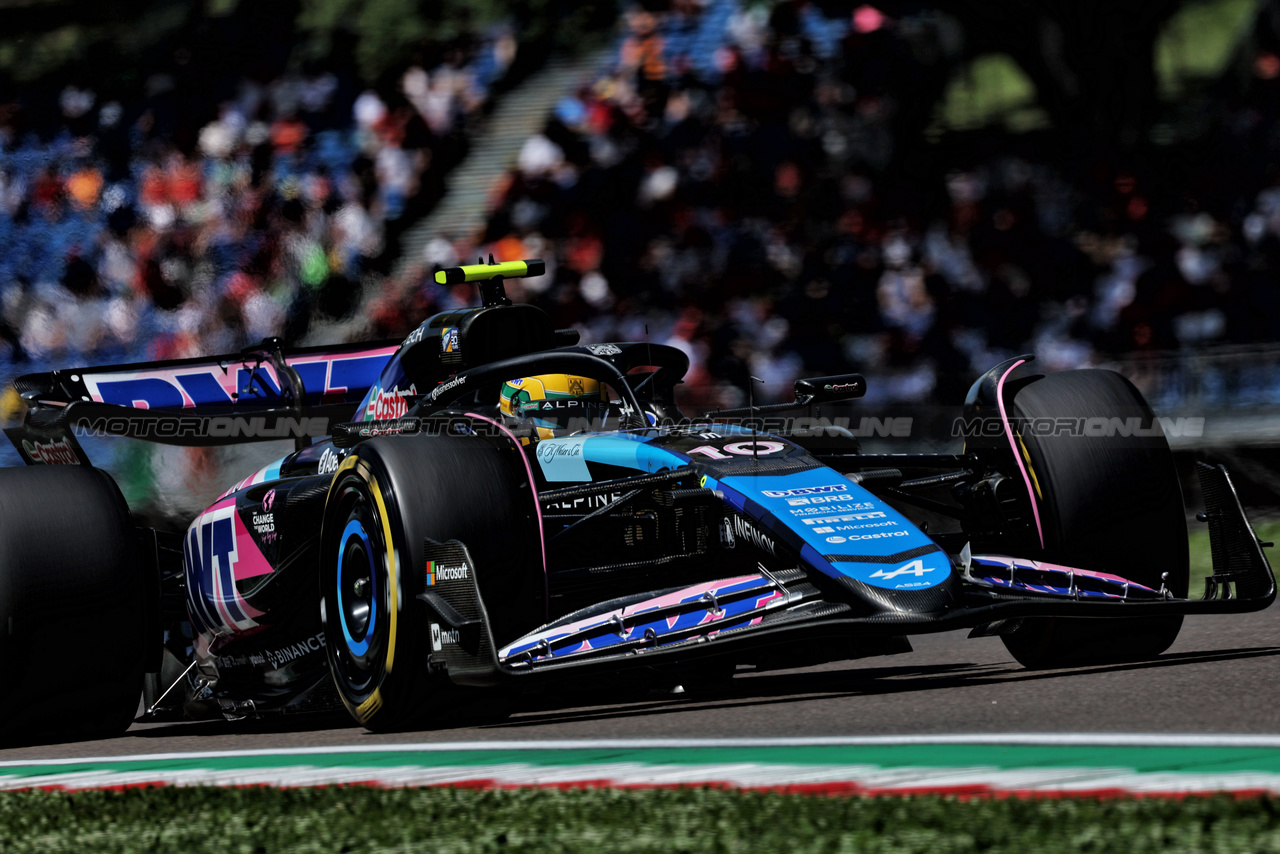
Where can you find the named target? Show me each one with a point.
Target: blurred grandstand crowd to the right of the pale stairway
(729, 175)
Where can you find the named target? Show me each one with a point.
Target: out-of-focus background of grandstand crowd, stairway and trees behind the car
(783, 189)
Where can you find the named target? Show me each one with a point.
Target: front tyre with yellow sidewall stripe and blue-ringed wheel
(387, 499)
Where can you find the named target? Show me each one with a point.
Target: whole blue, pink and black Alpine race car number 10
(491, 505)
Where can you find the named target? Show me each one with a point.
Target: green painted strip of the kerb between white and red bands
(1163, 760)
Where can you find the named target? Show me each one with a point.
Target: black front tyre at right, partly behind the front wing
(1109, 500)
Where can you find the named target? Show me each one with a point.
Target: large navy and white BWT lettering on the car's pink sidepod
(209, 555)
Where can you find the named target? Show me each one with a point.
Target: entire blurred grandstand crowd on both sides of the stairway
(719, 186)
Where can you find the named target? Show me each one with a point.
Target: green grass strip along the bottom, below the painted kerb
(593, 821)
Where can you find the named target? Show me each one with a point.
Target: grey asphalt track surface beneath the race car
(1222, 677)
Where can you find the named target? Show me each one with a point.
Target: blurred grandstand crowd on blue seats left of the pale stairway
(180, 225)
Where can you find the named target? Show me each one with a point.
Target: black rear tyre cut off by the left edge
(74, 606)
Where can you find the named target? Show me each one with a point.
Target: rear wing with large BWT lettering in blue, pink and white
(260, 395)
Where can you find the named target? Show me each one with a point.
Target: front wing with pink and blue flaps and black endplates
(764, 609)
